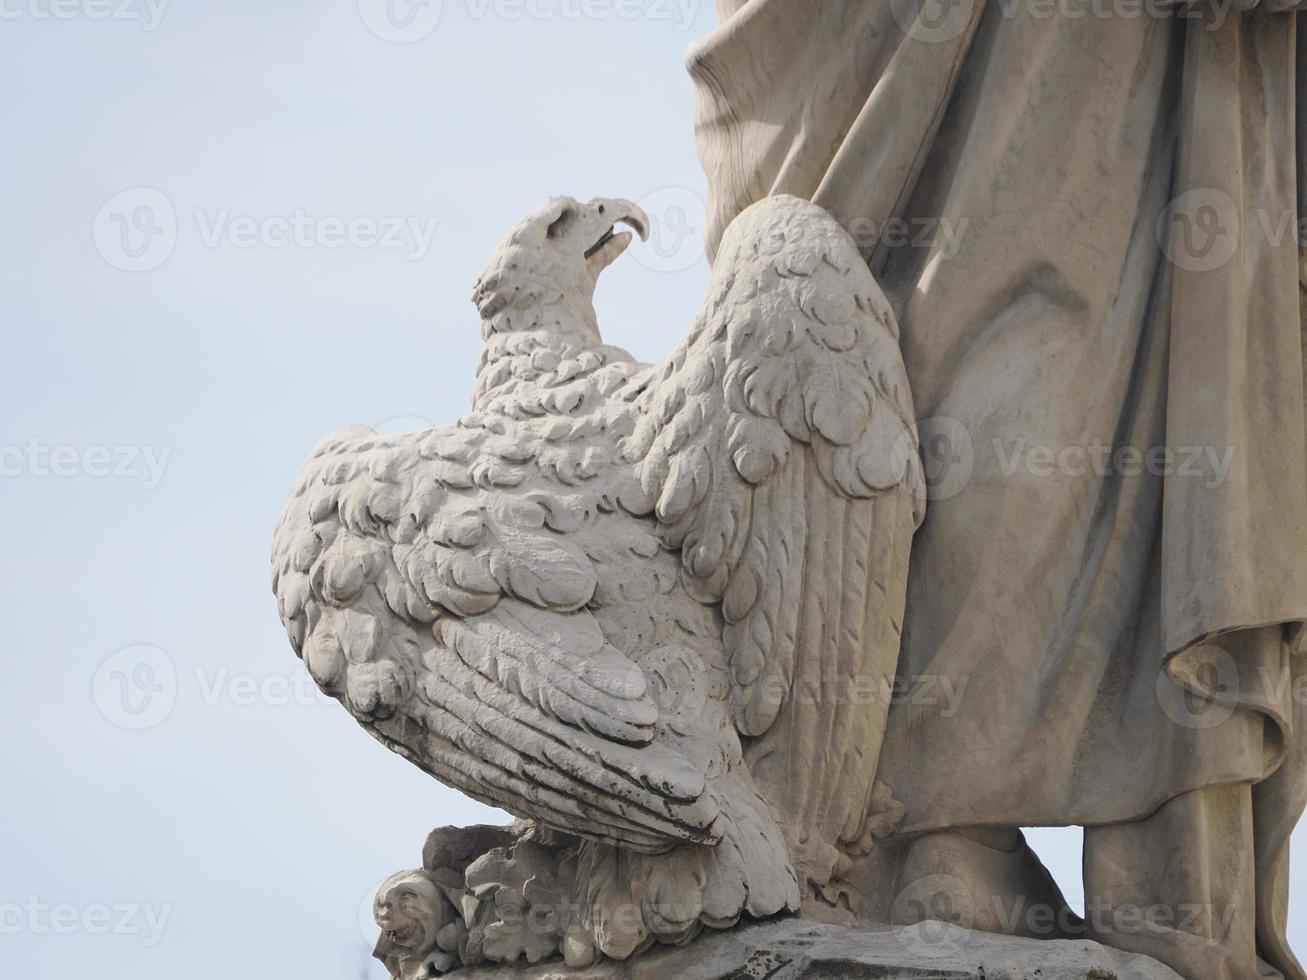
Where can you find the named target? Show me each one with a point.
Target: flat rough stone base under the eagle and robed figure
(795, 949)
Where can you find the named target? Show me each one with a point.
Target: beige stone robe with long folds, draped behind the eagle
(1088, 228)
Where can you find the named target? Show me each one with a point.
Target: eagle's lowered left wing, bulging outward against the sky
(435, 591)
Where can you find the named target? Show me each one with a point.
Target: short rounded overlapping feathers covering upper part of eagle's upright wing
(793, 370)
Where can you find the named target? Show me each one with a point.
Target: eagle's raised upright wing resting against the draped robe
(777, 449)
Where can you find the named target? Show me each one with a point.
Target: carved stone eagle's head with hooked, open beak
(547, 269)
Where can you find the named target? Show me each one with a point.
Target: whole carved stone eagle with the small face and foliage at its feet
(653, 612)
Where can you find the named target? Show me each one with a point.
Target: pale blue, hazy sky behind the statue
(229, 229)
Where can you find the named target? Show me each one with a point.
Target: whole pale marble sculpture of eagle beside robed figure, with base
(1036, 265)
